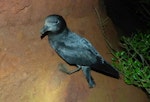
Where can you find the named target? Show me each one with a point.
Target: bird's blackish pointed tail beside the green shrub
(106, 69)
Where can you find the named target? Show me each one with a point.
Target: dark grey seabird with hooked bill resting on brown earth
(74, 49)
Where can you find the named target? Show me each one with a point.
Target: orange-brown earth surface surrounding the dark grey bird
(29, 66)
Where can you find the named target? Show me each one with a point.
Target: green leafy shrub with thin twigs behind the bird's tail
(134, 61)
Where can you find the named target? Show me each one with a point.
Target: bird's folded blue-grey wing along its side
(77, 50)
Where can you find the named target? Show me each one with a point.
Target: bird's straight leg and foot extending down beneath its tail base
(86, 70)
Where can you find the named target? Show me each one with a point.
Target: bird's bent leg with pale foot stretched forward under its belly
(64, 69)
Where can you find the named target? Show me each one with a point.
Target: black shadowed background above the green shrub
(129, 16)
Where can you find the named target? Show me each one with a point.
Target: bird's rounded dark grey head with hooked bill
(54, 24)
